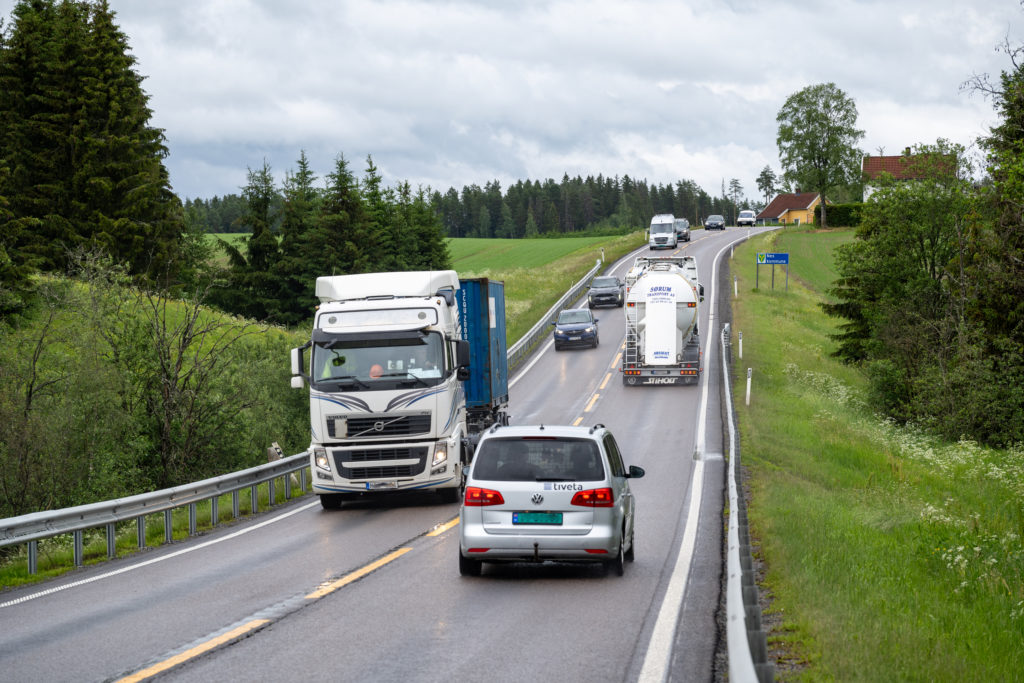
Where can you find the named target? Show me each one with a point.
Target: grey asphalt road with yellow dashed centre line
(373, 593)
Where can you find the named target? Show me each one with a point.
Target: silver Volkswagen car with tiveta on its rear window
(547, 493)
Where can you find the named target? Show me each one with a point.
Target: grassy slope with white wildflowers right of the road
(890, 556)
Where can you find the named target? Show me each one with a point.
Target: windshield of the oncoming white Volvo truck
(361, 365)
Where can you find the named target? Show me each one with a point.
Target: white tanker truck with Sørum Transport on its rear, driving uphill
(662, 309)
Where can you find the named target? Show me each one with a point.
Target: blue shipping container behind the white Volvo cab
(482, 313)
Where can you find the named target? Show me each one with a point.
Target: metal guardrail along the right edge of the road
(746, 641)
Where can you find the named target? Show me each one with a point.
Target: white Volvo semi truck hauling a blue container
(405, 370)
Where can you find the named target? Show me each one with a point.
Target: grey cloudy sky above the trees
(452, 93)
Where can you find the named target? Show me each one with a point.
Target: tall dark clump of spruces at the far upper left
(87, 167)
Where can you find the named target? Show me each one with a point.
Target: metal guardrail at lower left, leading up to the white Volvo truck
(33, 528)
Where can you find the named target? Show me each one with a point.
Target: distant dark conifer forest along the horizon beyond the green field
(526, 209)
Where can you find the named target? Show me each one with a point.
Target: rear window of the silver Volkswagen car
(538, 460)
